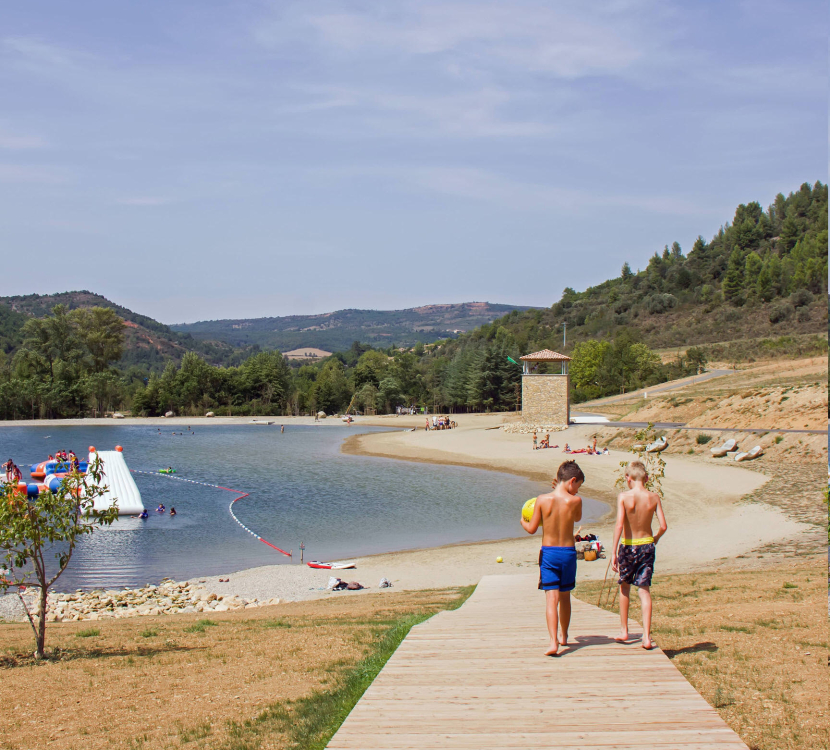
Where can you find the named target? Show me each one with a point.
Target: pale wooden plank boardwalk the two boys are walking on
(477, 679)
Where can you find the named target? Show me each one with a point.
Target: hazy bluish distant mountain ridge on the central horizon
(335, 331)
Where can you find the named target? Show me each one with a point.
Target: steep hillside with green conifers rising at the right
(763, 274)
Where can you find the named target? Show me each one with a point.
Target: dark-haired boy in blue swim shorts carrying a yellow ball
(557, 512)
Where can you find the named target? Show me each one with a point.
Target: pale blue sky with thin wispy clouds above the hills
(196, 160)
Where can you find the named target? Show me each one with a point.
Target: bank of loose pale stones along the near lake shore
(168, 598)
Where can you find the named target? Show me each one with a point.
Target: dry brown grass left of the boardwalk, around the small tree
(239, 681)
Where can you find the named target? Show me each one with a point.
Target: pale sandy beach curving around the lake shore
(708, 523)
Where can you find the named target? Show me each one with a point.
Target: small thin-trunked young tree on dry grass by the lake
(33, 530)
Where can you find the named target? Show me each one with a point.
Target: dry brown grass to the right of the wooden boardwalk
(753, 643)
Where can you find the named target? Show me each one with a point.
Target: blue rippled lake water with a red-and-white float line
(302, 489)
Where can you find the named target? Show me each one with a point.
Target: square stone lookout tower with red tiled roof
(545, 398)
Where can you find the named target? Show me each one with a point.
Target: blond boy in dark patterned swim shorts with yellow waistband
(633, 555)
